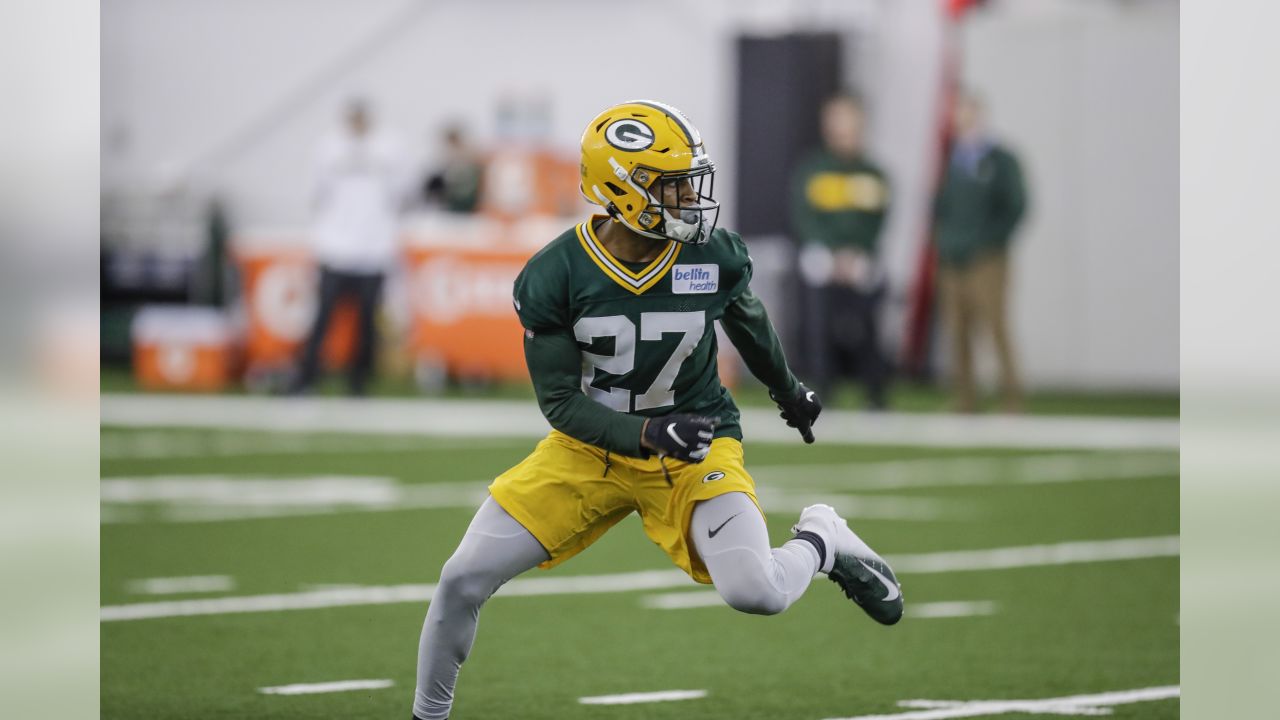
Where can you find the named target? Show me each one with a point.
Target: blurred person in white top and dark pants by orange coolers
(358, 199)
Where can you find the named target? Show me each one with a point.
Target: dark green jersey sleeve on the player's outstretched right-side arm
(747, 323)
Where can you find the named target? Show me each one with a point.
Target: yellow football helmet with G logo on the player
(644, 163)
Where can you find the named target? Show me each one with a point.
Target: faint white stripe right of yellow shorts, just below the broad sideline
(964, 472)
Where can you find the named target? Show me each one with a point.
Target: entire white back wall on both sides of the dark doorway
(1087, 95)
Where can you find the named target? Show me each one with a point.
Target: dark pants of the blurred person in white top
(365, 290)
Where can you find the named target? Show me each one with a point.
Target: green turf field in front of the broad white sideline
(330, 517)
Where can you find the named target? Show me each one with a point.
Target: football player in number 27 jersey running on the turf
(619, 317)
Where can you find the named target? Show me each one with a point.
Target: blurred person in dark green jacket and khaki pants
(980, 206)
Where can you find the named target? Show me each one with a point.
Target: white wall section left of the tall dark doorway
(182, 79)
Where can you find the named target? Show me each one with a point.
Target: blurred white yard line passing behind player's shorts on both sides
(209, 499)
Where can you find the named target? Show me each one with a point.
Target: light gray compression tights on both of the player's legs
(729, 534)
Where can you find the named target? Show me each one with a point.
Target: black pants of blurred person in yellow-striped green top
(842, 340)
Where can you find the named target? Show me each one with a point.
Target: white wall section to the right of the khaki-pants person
(1087, 93)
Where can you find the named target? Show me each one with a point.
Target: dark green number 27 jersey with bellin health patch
(610, 344)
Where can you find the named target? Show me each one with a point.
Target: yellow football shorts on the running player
(569, 494)
